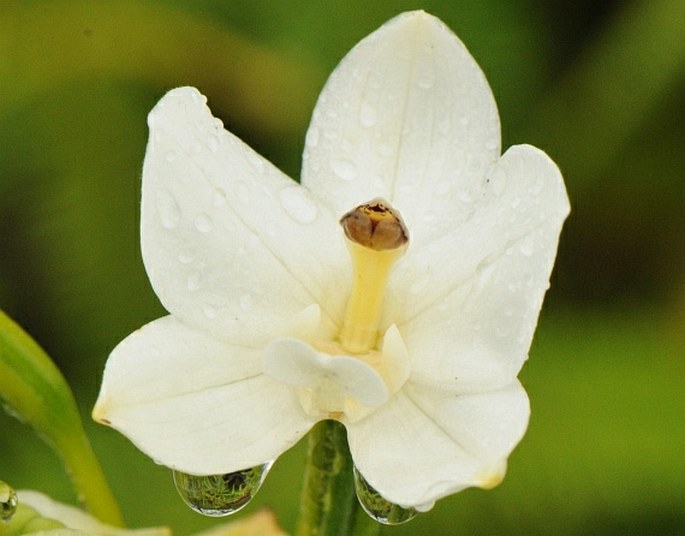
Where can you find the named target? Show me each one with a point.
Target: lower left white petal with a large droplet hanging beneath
(195, 404)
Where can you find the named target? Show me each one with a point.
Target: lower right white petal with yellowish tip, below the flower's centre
(426, 444)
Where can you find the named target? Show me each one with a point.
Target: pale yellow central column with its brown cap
(376, 237)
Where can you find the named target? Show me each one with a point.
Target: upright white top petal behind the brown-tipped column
(407, 115)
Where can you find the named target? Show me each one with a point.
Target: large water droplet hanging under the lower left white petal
(220, 495)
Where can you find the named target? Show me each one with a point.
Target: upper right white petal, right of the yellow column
(471, 299)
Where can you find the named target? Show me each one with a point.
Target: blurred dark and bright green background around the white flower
(599, 85)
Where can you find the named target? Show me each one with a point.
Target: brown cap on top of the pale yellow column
(375, 225)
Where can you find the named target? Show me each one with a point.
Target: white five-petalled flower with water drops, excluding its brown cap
(255, 273)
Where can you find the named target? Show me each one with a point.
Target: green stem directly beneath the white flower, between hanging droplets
(329, 506)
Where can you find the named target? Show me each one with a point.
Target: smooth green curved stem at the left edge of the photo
(34, 390)
